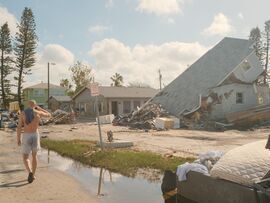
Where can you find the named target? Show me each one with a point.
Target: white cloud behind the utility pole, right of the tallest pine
(53, 53)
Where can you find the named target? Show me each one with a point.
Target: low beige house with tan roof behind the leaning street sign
(112, 100)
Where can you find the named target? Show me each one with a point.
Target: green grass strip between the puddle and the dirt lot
(122, 161)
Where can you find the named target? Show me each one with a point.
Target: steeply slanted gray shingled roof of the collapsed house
(184, 92)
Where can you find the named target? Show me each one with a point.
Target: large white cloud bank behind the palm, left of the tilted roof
(141, 62)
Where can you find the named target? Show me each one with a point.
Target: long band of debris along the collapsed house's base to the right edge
(146, 118)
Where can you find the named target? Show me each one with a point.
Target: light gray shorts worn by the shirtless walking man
(30, 143)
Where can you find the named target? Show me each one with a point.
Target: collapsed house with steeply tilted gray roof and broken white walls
(221, 82)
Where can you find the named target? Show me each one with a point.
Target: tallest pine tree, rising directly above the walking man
(25, 45)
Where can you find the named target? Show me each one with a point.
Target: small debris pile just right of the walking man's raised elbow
(61, 117)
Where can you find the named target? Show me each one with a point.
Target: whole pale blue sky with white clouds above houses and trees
(132, 37)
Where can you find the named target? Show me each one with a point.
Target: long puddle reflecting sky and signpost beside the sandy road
(110, 187)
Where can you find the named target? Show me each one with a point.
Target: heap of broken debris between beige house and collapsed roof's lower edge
(143, 118)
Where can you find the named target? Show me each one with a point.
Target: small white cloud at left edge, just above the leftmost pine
(6, 16)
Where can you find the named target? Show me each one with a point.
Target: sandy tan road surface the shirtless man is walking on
(50, 186)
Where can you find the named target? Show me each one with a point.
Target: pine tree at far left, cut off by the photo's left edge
(5, 65)
